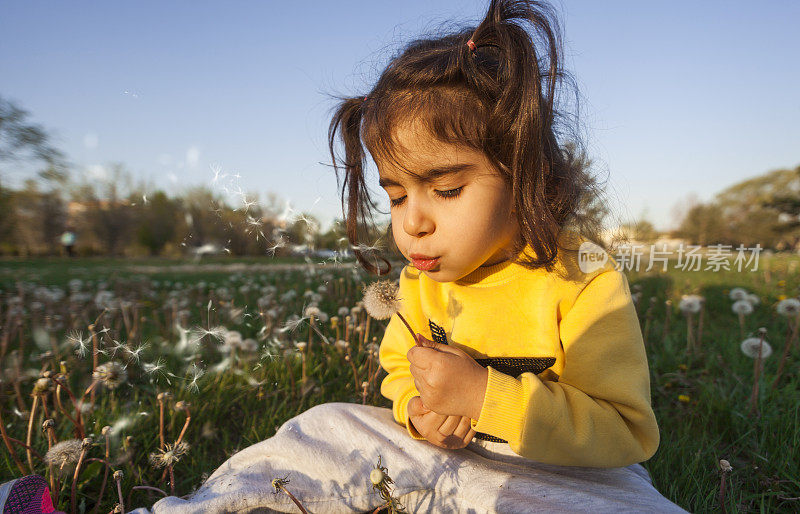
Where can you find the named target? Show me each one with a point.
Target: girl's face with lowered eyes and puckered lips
(459, 209)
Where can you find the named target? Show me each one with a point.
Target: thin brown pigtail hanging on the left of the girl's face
(356, 202)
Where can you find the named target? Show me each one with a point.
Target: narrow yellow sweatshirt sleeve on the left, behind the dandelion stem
(398, 385)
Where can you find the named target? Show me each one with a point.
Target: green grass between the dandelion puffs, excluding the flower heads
(248, 401)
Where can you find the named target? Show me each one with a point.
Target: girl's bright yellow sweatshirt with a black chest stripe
(582, 394)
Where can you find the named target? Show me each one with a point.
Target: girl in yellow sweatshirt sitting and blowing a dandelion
(527, 387)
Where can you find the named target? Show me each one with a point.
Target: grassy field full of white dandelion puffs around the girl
(160, 326)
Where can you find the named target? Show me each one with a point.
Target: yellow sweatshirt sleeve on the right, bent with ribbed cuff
(598, 413)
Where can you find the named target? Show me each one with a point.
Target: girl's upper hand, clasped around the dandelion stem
(448, 380)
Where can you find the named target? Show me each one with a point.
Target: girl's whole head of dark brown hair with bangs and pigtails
(488, 88)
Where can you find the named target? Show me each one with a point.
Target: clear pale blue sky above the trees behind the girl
(679, 98)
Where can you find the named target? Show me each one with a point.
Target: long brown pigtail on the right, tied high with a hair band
(521, 86)
